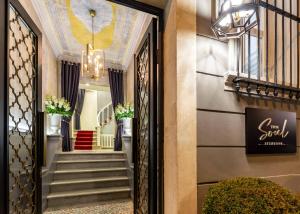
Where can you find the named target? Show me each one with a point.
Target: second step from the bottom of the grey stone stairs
(90, 183)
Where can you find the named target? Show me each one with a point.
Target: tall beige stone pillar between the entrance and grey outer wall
(180, 107)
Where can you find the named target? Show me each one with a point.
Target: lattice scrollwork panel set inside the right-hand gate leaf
(143, 66)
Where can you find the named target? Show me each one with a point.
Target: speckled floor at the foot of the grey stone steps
(115, 207)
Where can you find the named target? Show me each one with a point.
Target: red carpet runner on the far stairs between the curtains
(84, 140)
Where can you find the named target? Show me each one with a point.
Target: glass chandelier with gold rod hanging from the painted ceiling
(92, 60)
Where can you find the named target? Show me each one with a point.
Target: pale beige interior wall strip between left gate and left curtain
(49, 61)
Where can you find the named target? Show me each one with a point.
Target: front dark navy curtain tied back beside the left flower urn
(70, 74)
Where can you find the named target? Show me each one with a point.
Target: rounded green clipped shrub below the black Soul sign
(249, 196)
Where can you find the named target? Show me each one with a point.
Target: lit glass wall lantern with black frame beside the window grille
(235, 17)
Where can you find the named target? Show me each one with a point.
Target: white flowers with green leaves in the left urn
(59, 106)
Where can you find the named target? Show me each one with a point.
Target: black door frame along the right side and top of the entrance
(159, 13)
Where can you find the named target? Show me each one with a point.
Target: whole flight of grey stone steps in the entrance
(88, 177)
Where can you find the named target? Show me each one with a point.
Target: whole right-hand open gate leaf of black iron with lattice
(145, 138)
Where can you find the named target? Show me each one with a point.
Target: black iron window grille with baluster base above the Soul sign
(270, 67)
